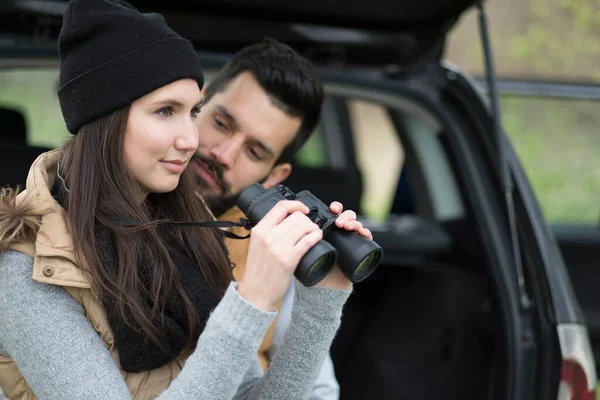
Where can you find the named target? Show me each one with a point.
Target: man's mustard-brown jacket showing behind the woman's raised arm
(238, 252)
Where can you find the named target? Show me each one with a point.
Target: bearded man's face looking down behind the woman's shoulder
(242, 134)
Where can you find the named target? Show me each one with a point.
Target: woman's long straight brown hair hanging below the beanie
(101, 190)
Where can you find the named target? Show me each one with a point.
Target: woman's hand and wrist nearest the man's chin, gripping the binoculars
(277, 244)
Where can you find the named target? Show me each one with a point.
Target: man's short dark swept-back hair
(290, 80)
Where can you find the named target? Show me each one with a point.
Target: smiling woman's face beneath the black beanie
(161, 135)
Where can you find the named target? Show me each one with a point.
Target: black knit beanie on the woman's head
(111, 54)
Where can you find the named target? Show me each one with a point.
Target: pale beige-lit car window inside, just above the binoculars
(379, 155)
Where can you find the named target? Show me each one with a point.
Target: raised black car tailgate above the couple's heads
(358, 33)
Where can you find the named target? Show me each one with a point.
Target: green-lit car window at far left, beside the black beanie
(33, 92)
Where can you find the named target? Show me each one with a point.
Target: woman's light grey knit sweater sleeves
(45, 332)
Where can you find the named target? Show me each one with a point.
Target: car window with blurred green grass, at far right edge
(558, 143)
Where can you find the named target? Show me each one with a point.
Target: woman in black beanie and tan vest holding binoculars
(91, 307)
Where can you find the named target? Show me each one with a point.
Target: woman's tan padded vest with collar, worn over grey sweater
(50, 245)
